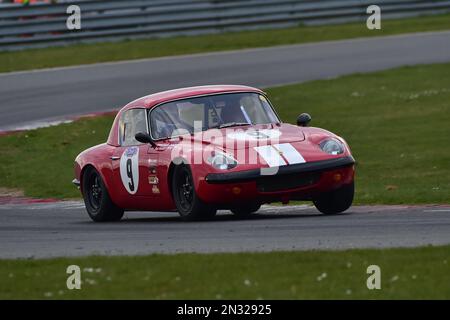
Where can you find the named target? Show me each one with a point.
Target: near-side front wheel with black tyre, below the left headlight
(189, 205)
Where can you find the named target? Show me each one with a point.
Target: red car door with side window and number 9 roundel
(130, 162)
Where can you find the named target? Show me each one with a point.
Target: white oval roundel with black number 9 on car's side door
(129, 169)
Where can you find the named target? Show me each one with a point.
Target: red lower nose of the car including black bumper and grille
(293, 182)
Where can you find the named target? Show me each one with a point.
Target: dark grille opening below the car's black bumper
(286, 182)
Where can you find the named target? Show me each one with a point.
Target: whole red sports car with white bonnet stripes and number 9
(200, 149)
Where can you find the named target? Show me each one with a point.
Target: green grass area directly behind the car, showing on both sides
(396, 122)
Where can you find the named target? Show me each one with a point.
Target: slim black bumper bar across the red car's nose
(253, 175)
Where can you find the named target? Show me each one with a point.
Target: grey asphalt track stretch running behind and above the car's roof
(30, 97)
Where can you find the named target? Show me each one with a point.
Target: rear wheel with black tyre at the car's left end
(97, 200)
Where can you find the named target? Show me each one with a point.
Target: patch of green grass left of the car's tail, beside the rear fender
(40, 162)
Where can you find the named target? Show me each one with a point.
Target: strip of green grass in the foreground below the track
(419, 273)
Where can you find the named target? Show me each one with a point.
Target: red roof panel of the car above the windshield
(170, 95)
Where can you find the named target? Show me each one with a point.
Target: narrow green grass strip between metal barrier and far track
(135, 49)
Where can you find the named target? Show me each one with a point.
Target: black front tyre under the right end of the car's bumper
(335, 201)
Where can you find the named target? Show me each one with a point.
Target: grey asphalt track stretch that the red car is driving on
(64, 229)
